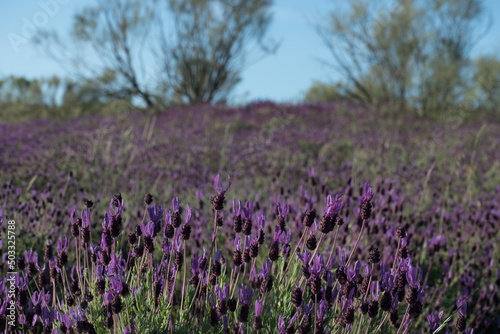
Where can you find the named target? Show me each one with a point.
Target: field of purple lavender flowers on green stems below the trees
(268, 218)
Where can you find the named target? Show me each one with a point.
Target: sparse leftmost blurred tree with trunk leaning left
(106, 47)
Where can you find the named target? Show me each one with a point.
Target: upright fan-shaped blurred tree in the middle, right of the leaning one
(204, 60)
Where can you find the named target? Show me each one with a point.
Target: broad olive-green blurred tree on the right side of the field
(412, 54)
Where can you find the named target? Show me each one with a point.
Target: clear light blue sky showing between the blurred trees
(283, 76)
